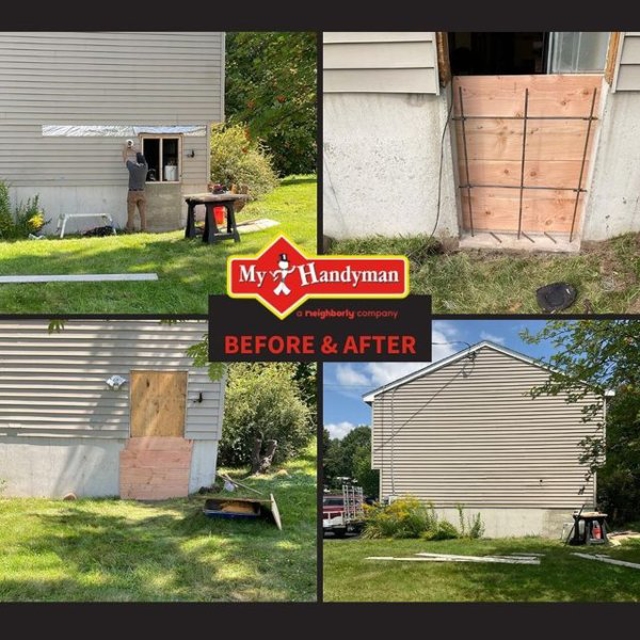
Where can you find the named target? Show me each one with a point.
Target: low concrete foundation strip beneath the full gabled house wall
(506, 523)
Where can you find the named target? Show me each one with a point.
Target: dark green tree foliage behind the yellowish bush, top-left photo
(271, 86)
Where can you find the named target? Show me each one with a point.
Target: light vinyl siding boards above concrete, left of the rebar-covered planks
(380, 62)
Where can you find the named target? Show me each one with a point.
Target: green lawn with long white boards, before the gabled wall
(560, 577)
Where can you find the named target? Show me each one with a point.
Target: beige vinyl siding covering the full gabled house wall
(468, 433)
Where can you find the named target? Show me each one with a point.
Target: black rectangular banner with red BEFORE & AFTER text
(332, 330)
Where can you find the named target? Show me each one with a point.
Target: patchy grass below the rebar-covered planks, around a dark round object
(606, 276)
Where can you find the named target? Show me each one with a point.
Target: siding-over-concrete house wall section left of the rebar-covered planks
(383, 122)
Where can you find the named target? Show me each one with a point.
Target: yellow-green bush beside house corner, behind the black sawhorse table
(236, 159)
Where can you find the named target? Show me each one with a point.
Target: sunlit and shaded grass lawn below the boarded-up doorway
(113, 550)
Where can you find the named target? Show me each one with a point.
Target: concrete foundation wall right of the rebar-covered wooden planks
(613, 207)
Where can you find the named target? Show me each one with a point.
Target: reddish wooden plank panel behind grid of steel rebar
(524, 147)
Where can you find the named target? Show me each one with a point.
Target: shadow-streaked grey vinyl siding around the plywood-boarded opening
(54, 384)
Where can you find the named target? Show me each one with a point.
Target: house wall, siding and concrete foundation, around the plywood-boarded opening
(62, 428)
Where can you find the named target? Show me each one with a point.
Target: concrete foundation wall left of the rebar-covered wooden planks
(381, 161)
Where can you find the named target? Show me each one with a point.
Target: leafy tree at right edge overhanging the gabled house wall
(604, 354)
